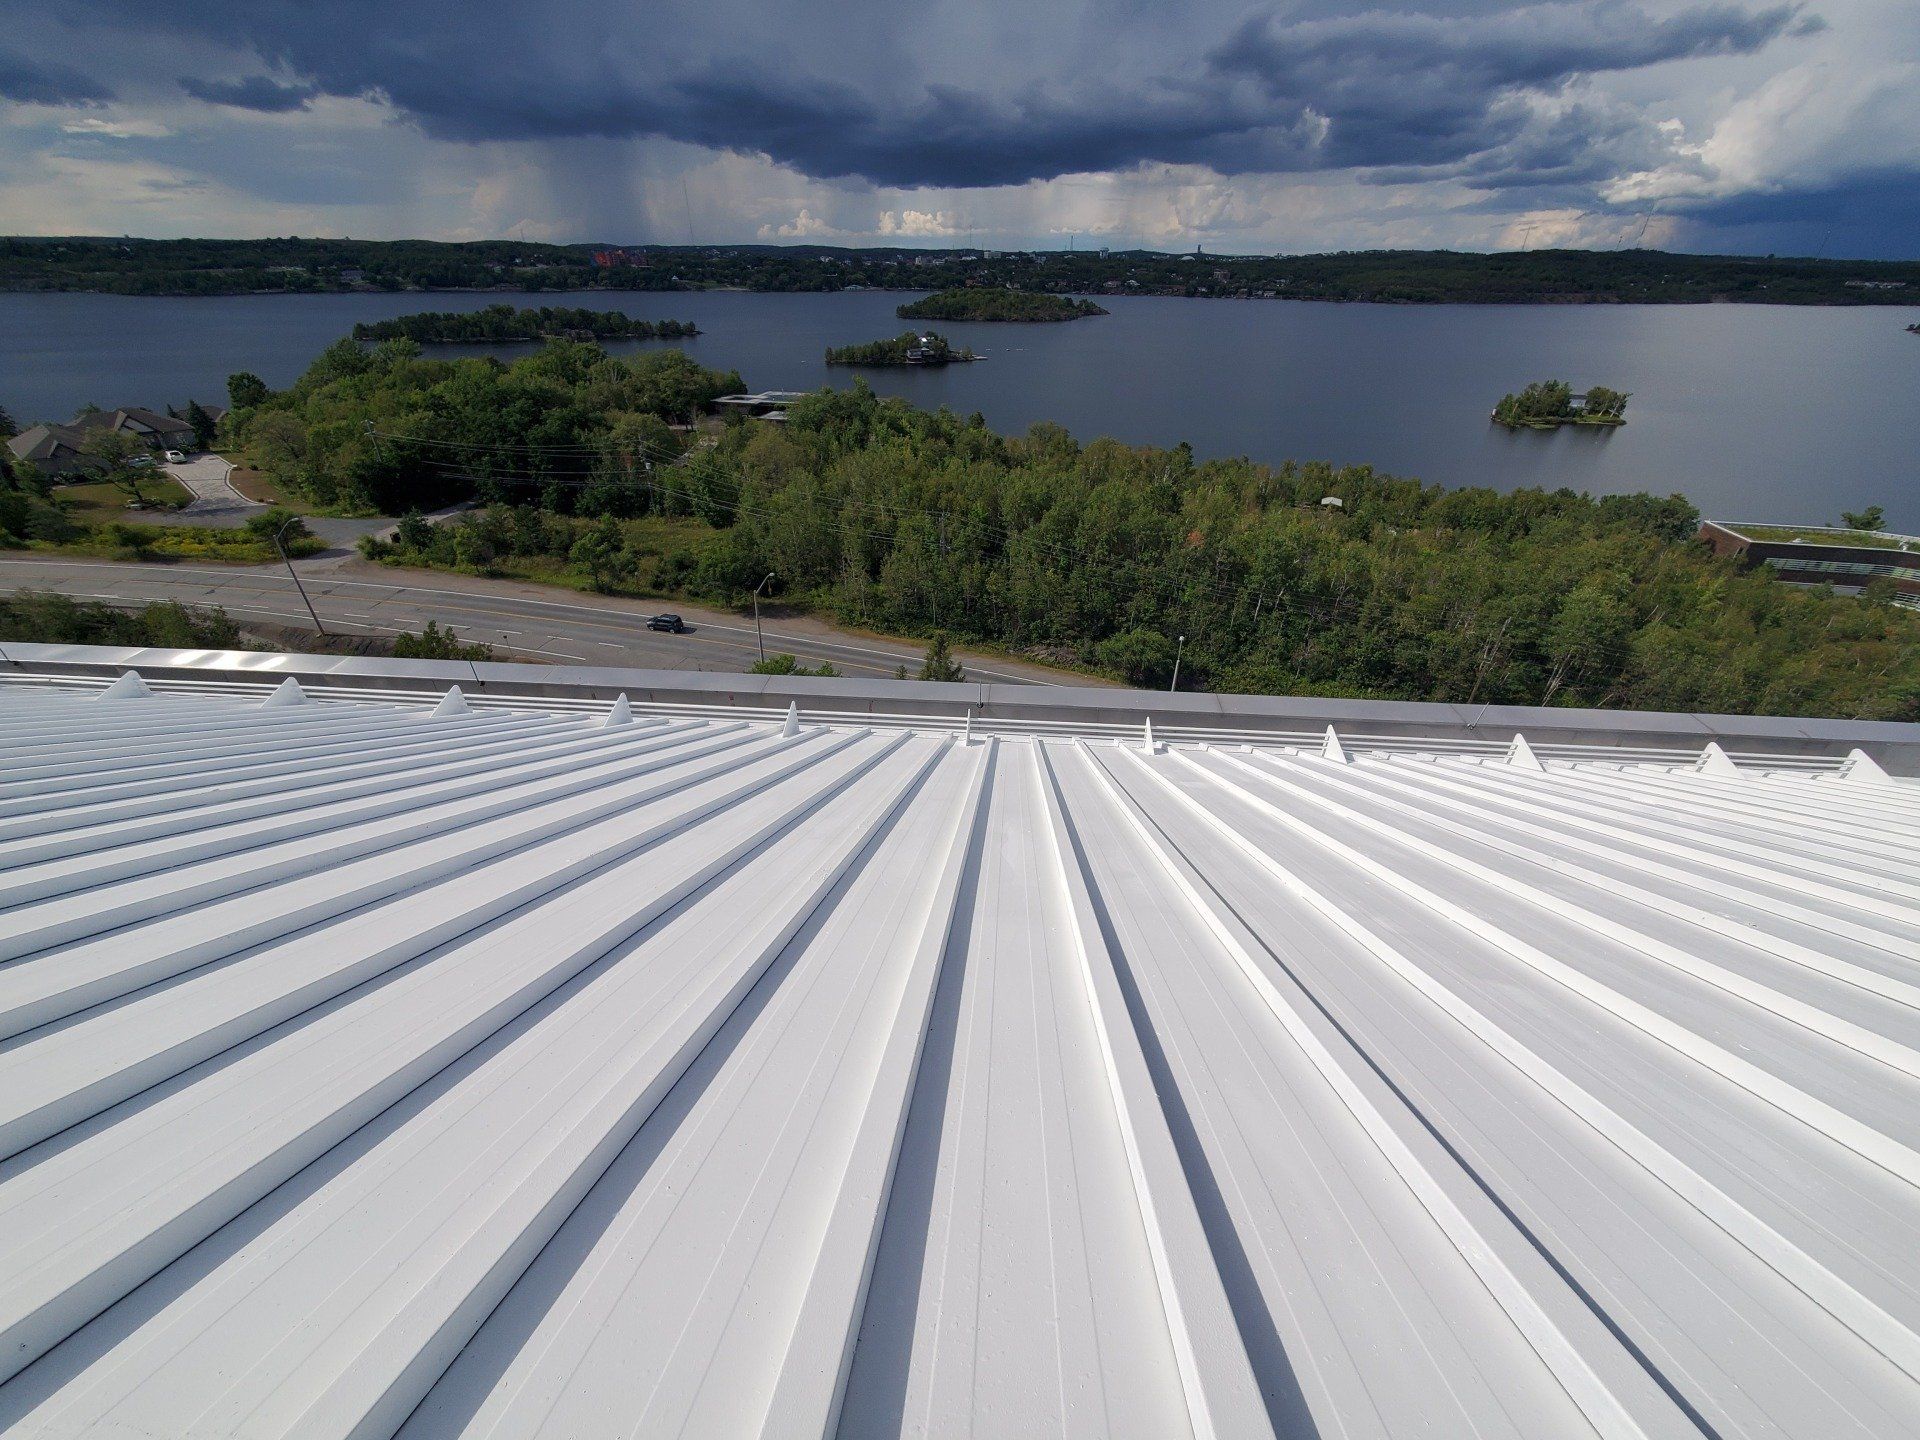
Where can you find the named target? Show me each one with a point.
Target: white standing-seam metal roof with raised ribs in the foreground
(504, 1072)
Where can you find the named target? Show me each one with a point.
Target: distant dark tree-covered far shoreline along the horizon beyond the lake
(295, 266)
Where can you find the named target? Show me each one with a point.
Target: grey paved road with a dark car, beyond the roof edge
(519, 621)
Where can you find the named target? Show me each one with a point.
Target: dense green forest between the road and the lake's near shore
(1090, 554)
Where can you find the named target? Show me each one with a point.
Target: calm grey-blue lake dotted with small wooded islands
(1754, 412)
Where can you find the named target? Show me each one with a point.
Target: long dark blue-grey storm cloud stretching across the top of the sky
(1266, 95)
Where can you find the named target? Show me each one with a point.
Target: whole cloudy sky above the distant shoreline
(1009, 124)
